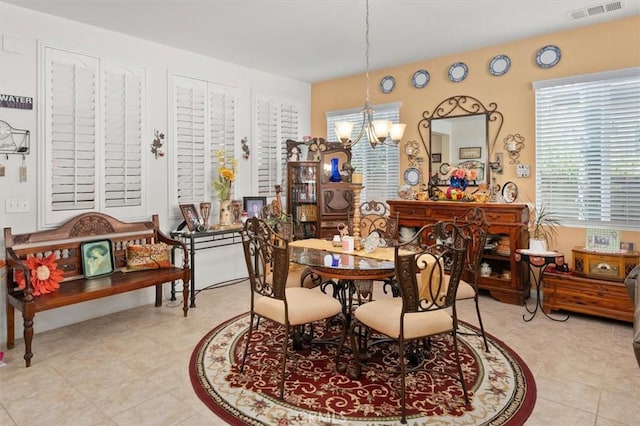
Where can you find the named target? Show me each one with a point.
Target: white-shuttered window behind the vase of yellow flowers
(203, 123)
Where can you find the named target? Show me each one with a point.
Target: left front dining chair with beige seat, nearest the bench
(267, 257)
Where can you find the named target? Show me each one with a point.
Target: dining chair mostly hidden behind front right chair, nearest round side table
(474, 226)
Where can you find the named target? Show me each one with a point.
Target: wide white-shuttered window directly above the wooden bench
(93, 121)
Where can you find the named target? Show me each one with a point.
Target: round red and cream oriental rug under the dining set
(501, 388)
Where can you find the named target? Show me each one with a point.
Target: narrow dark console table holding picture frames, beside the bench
(195, 241)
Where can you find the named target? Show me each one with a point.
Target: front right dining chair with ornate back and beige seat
(425, 308)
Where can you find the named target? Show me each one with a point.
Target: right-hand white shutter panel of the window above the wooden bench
(123, 135)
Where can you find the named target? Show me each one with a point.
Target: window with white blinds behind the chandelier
(380, 167)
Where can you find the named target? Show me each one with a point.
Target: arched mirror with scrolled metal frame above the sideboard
(461, 132)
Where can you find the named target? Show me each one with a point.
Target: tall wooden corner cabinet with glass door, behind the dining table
(317, 205)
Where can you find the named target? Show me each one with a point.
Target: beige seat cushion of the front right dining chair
(384, 316)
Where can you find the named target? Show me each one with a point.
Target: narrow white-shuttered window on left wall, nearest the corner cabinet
(277, 120)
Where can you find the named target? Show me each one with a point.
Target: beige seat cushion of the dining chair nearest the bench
(305, 306)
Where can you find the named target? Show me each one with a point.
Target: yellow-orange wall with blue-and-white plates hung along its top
(601, 47)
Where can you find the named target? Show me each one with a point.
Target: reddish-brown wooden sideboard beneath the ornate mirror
(505, 220)
